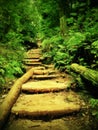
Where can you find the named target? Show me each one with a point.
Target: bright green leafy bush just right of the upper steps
(63, 52)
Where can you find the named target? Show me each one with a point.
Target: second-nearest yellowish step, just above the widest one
(45, 86)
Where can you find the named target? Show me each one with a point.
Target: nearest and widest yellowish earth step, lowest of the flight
(46, 104)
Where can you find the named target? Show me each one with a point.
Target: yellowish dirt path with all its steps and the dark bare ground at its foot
(46, 101)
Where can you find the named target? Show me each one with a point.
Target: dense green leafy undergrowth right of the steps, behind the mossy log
(80, 45)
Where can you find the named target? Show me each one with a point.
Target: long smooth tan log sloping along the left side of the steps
(12, 96)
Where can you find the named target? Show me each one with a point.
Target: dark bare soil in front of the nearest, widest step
(81, 121)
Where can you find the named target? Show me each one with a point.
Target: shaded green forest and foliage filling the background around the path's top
(68, 30)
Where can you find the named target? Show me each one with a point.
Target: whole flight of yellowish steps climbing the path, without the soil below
(46, 92)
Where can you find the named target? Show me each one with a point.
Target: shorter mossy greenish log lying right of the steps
(89, 74)
